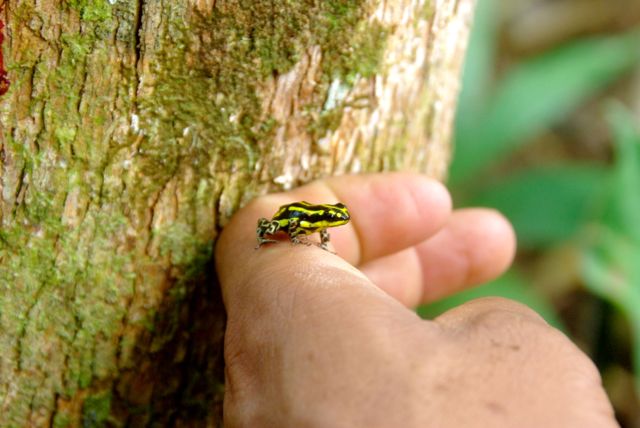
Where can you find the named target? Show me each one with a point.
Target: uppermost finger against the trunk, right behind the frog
(389, 212)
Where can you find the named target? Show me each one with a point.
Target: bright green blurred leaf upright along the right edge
(611, 258)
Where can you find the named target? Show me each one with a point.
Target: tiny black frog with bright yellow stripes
(303, 218)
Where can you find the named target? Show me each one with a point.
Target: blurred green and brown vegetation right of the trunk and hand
(548, 132)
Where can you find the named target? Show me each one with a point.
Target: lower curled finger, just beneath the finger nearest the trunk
(476, 245)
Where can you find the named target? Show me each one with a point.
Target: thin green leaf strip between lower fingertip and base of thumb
(511, 286)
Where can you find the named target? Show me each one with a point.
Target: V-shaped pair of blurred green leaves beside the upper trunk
(496, 117)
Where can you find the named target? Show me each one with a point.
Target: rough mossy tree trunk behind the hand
(132, 130)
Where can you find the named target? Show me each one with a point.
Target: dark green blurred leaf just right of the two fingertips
(546, 205)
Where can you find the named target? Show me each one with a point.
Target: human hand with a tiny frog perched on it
(316, 339)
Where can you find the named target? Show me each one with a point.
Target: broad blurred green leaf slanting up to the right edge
(536, 94)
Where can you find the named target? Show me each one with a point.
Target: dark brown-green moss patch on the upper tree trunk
(203, 97)
